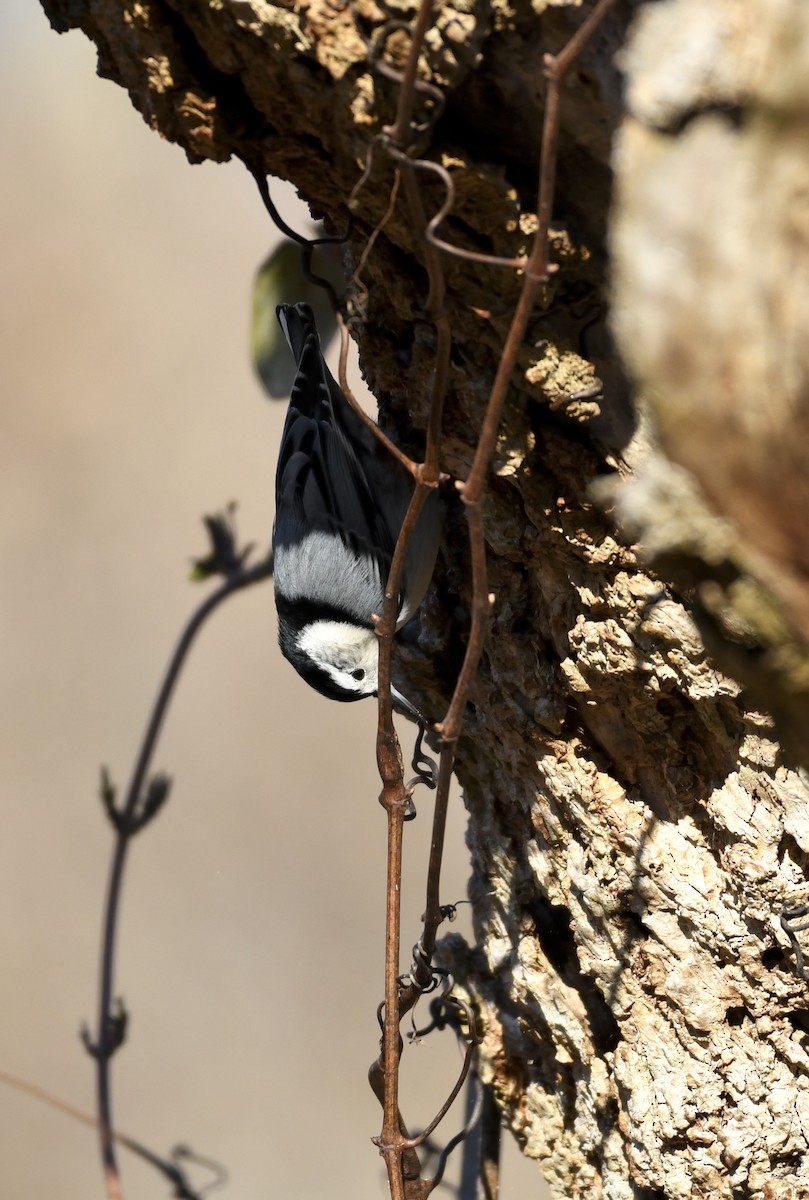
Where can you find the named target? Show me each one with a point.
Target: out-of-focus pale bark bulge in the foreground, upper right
(712, 292)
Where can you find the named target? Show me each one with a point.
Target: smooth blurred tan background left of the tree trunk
(251, 943)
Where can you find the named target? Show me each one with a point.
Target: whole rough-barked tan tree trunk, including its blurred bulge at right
(636, 827)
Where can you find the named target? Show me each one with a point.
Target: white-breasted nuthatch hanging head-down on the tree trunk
(341, 500)
